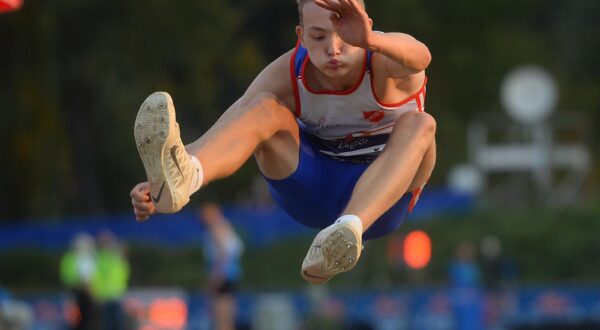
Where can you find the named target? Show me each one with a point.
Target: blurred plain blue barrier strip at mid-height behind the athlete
(258, 226)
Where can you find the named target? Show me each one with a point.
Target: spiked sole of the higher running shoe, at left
(153, 123)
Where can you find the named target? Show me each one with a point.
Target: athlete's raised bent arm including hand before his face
(402, 53)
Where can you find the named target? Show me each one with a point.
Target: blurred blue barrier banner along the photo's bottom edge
(426, 308)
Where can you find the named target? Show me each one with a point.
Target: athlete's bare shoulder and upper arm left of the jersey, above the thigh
(275, 79)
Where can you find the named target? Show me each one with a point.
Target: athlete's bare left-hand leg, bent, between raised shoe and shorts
(264, 127)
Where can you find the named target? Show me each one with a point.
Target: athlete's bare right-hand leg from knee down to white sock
(405, 164)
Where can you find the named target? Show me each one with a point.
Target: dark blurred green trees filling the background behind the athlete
(73, 74)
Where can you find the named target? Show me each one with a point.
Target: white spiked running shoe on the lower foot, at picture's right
(335, 249)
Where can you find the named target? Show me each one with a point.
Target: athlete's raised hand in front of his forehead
(350, 21)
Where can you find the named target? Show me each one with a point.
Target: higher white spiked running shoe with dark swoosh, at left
(168, 166)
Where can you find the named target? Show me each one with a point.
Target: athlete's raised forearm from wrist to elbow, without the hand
(402, 49)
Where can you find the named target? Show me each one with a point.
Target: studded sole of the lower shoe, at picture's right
(340, 246)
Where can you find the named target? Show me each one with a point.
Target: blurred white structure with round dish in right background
(530, 143)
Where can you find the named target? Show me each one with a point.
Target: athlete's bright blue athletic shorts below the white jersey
(318, 191)
